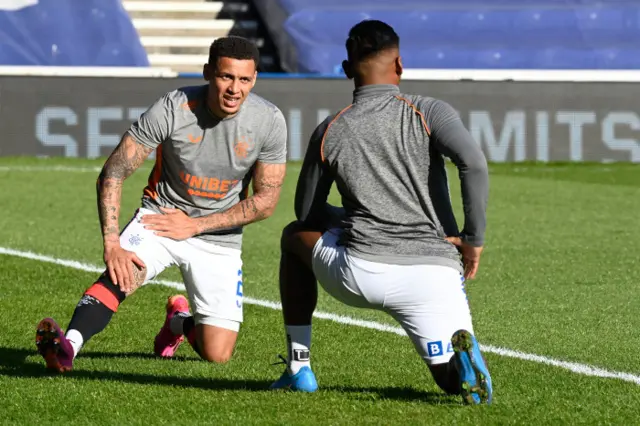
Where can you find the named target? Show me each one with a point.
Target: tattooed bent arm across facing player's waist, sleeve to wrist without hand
(268, 180)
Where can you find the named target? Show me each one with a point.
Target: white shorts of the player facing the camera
(212, 274)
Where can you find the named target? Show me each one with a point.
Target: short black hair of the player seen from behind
(369, 38)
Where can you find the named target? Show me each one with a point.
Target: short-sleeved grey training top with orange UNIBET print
(204, 164)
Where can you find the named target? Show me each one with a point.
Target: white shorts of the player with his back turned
(428, 301)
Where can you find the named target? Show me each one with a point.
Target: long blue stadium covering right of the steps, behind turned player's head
(463, 34)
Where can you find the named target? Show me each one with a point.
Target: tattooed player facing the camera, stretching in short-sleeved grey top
(211, 141)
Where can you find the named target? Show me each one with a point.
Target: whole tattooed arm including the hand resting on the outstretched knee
(122, 162)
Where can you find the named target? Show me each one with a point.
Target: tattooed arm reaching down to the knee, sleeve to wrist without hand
(124, 160)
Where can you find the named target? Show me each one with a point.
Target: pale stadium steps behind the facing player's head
(177, 33)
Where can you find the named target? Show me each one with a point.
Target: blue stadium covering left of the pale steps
(70, 33)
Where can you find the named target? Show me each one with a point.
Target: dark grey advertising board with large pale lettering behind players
(512, 121)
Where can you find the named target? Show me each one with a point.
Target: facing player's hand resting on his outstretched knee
(125, 268)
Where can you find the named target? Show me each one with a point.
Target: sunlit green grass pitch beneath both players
(559, 278)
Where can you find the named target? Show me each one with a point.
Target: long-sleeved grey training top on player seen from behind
(385, 153)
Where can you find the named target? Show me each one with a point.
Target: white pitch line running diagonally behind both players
(582, 369)
